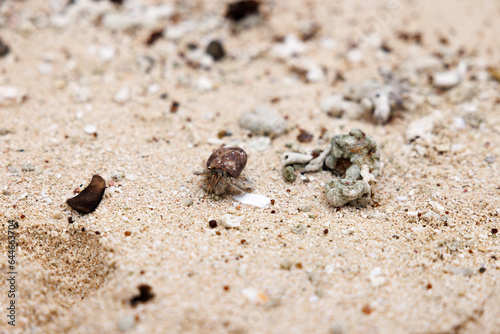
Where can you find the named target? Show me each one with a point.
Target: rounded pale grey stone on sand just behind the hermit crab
(264, 120)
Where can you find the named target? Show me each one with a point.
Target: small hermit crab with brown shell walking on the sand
(224, 167)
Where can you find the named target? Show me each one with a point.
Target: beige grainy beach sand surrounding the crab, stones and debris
(80, 277)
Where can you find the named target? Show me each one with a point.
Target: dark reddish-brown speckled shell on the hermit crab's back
(229, 159)
